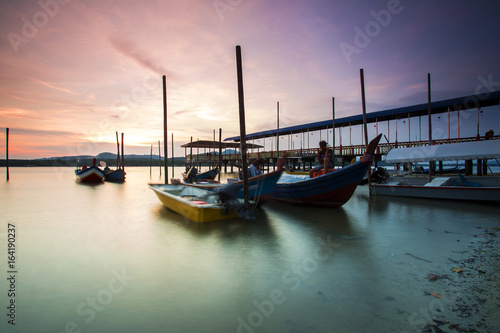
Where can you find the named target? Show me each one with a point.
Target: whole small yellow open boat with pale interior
(196, 204)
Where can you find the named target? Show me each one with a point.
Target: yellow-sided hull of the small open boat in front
(194, 210)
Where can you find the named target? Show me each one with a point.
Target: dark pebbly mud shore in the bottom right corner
(469, 300)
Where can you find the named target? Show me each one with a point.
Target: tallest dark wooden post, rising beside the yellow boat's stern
(243, 141)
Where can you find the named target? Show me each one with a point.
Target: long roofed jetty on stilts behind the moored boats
(408, 120)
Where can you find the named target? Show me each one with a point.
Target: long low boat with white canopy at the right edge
(452, 187)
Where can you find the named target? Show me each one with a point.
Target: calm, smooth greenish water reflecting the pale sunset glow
(111, 258)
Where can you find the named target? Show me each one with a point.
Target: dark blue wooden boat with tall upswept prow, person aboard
(332, 189)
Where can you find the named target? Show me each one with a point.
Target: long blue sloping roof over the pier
(454, 104)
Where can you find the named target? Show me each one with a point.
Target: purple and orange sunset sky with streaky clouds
(74, 72)
